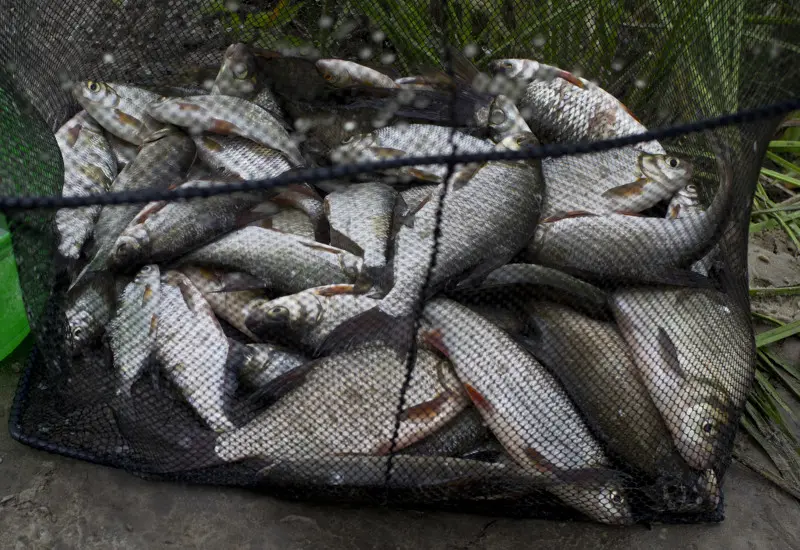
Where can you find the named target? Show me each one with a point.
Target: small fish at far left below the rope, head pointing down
(89, 309)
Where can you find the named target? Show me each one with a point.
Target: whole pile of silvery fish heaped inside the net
(532, 322)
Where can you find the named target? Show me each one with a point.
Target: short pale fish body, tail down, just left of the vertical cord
(362, 219)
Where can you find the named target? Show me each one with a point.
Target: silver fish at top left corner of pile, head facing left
(118, 108)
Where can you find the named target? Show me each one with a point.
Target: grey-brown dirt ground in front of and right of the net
(52, 502)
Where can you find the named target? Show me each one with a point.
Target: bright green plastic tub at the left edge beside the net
(13, 319)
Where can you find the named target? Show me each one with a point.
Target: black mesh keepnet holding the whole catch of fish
(528, 331)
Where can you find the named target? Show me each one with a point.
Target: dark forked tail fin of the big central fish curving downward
(373, 325)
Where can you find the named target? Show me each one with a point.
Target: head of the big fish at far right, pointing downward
(701, 428)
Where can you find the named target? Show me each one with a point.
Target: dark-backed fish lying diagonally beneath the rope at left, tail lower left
(161, 163)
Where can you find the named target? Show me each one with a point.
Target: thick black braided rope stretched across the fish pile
(312, 175)
